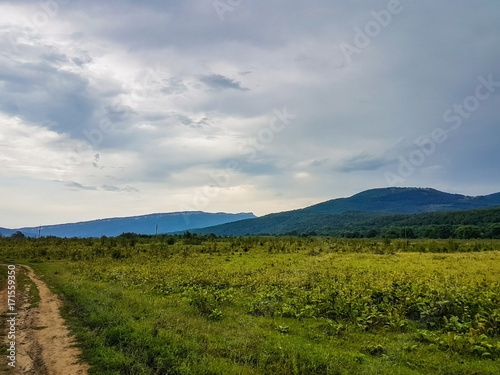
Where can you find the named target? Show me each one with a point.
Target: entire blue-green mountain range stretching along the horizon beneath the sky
(371, 212)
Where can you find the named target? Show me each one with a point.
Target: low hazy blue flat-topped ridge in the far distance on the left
(145, 224)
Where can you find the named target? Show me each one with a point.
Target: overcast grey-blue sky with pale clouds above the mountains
(120, 108)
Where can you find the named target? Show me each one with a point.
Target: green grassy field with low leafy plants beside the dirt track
(191, 305)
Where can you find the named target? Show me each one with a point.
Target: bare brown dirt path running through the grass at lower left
(44, 345)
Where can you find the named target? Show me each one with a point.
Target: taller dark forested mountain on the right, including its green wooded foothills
(392, 212)
